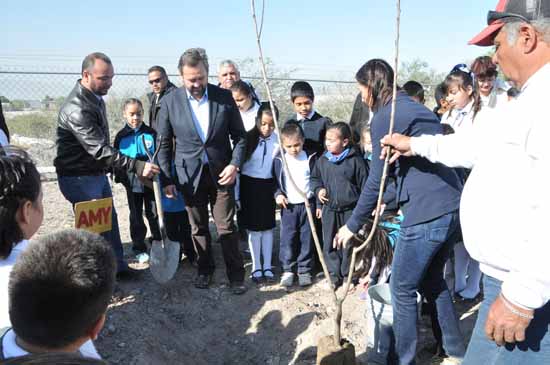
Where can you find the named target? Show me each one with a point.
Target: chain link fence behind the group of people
(31, 99)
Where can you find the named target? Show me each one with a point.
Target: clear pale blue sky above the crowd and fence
(320, 39)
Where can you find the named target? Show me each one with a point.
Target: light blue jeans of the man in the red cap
(534, 350)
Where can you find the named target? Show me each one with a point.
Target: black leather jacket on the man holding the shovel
(83, 145)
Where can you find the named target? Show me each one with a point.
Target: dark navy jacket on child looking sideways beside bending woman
(343, 180)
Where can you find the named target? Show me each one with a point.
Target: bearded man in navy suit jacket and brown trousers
(201, 118)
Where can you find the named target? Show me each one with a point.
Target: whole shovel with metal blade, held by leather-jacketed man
(164, 256)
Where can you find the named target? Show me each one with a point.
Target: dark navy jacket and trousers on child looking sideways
(343, 177)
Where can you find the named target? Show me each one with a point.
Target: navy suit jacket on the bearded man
(178, 131)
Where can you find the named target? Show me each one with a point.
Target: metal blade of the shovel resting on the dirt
(164, 260)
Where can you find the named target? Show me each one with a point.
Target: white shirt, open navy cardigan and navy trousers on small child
(296, 242)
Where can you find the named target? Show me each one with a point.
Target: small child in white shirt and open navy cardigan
(296, 244)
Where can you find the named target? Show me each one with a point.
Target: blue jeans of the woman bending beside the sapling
(420, 255)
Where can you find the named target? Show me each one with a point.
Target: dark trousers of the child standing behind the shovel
(136, 202)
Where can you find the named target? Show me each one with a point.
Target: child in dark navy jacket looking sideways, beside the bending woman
(337, 180)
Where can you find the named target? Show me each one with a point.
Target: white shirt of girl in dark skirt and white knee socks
(259, 165)
